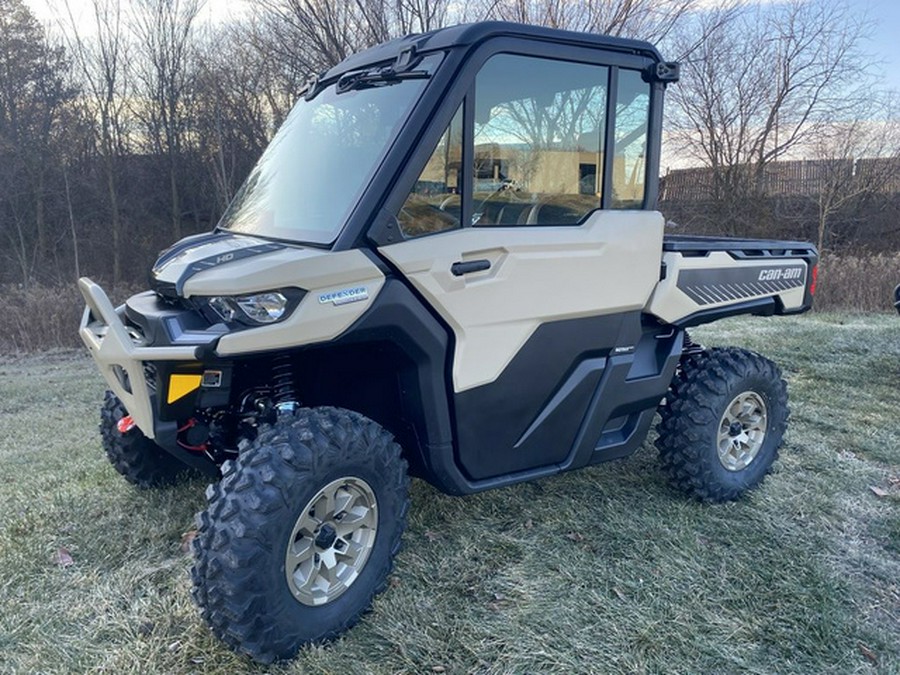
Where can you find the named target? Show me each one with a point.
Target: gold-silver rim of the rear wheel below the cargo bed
(742, 431)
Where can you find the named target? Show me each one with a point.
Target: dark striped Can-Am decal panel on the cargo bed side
(711, 286)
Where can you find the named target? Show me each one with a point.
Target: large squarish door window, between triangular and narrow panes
(539, 128)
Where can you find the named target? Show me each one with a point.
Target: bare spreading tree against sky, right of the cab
(762, 84)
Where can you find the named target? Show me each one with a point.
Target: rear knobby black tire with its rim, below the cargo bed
(722, 423)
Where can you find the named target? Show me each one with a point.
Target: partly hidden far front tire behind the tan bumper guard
(136, 457)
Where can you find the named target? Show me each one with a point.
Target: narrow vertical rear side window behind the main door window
(629, 159)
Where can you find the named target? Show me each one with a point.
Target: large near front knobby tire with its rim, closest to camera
(323, 468)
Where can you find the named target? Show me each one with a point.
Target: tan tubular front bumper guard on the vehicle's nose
(121, 356)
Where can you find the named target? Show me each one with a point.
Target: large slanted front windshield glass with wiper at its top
(311, 175)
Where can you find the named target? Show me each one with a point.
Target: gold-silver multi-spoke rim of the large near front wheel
(331, 541)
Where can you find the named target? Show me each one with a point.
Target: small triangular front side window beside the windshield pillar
(434, 204)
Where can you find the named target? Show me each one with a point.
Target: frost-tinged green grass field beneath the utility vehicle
(606, 570)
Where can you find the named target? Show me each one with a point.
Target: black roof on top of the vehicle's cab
(473, 33)
